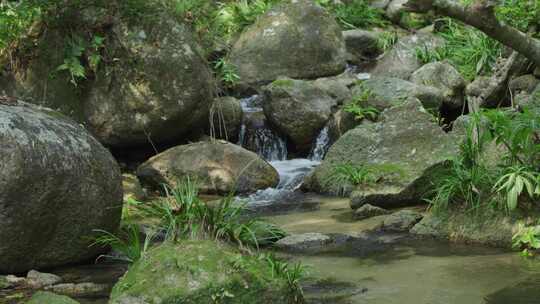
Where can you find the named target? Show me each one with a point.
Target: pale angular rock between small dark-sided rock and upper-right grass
(401, 61)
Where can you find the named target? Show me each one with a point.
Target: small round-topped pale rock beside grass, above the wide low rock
(445, 77)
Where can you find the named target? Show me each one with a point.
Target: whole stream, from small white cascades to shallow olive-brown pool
(401, 272)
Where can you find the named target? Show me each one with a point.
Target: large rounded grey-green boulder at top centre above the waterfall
(297, 39)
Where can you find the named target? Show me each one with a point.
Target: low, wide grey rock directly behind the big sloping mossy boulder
(385, 92)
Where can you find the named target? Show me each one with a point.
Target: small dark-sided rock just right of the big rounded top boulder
(362, 45)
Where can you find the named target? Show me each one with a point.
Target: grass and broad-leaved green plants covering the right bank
(498, 167)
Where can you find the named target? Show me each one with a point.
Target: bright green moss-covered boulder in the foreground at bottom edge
(200, 272)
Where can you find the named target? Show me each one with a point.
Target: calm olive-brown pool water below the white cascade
(411, 272)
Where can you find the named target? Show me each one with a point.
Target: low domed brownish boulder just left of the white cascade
(219, 167)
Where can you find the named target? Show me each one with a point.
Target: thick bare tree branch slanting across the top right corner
(481, 15)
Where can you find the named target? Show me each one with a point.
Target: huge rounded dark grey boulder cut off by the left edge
(57, 184)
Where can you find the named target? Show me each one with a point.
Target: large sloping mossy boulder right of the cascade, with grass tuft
(402, 153)
